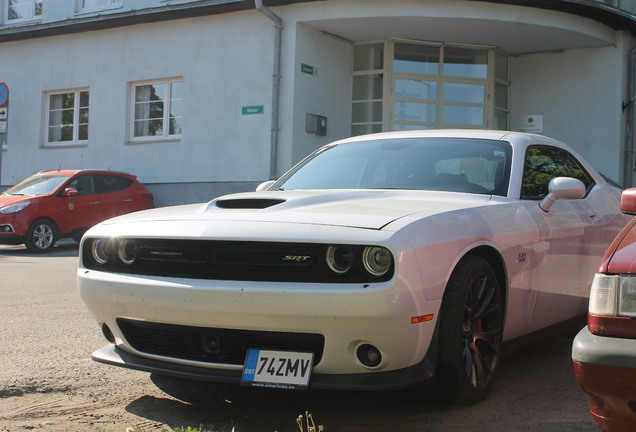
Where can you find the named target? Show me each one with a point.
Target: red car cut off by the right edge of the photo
(604, 352)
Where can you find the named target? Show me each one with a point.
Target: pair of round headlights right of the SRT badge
(375, 260)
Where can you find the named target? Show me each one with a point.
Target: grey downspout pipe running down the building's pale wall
(278, 30)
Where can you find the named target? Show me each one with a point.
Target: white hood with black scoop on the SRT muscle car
(369, 209)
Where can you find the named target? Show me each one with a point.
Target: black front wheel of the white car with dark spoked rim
(470, 333)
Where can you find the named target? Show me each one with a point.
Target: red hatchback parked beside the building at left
(56, 204)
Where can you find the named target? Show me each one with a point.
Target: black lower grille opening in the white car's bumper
(213, 345)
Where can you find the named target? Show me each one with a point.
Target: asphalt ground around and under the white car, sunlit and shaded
(48, 382)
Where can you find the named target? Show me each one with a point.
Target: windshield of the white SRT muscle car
(441, 164)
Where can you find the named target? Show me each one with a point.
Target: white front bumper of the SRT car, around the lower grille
(345, 315)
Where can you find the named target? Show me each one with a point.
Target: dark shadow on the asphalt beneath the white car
(533, 380)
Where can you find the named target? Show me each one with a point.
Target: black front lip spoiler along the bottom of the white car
(390, 380)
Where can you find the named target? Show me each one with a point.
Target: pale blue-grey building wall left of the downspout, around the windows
(225, 62)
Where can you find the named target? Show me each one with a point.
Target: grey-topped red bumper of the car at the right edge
(605, 368)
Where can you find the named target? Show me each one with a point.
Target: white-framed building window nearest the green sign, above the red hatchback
(157, 110)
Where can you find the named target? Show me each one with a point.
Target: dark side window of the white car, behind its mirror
(544, 163)
